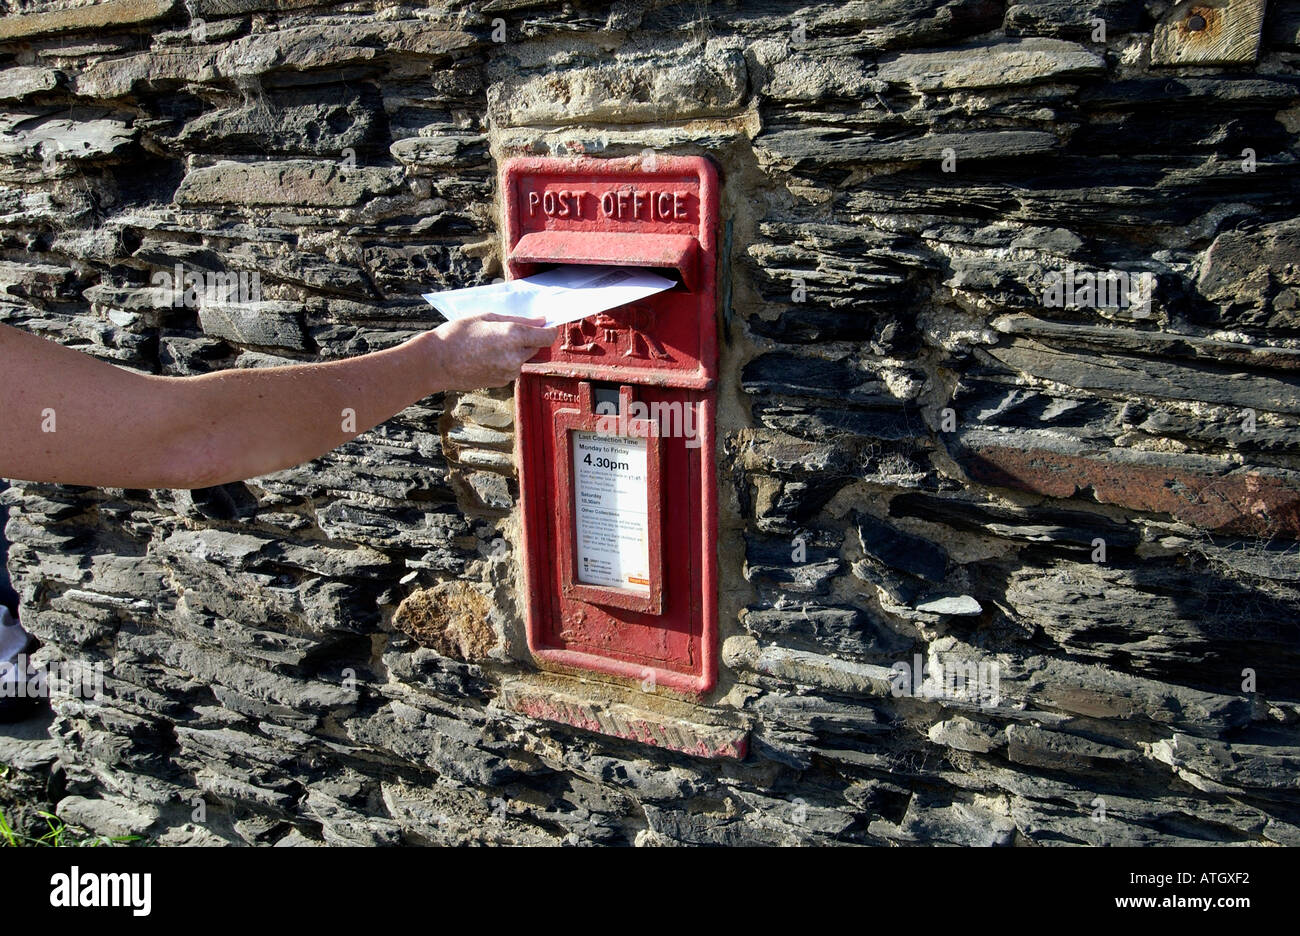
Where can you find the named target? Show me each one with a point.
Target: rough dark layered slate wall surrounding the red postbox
(925, 454)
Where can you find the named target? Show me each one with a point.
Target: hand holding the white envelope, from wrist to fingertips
(487, 352)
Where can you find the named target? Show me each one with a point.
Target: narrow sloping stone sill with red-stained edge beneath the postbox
(626, 714)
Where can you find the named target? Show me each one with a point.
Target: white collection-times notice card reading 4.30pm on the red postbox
(612, 502)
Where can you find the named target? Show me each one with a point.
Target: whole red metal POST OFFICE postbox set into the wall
(616, 423)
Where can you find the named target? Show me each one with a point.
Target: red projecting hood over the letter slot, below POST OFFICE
(677, 253)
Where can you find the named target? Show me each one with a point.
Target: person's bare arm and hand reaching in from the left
(68, 418)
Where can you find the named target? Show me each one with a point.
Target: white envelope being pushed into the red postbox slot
(564, 294)
